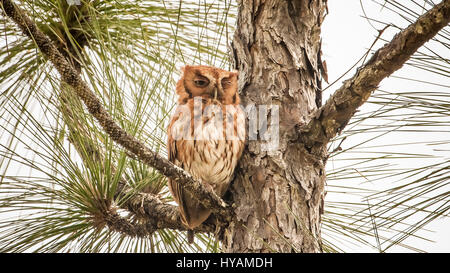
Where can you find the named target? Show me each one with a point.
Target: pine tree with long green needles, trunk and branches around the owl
(86, 91)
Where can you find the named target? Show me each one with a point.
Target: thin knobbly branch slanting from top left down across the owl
(69, 75)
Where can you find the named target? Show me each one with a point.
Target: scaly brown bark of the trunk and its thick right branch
(278, 196)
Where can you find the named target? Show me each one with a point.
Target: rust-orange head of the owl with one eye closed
(208, 82)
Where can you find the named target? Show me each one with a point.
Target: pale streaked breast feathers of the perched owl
(210, 153)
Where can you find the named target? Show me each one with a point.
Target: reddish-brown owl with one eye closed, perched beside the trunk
(205, 135)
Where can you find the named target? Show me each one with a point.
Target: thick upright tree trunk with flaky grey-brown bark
(278, 193)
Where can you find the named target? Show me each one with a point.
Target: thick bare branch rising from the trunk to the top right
(333, 116)
